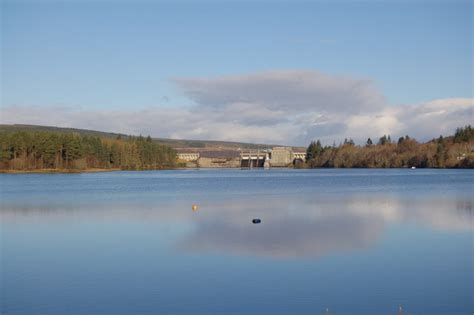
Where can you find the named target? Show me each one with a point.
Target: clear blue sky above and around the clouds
(111, 55)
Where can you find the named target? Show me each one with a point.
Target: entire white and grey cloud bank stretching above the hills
(287, 107)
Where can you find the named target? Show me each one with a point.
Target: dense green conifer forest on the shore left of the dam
(33, 150)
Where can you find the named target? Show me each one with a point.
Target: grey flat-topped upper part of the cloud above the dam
(288, 91)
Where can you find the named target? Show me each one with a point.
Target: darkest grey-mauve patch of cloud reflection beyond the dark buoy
(290, 237)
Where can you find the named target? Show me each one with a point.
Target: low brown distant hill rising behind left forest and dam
(174, 143)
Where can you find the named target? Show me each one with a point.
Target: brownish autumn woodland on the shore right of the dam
(444, 152)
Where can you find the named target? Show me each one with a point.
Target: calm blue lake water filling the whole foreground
(353, 241)
